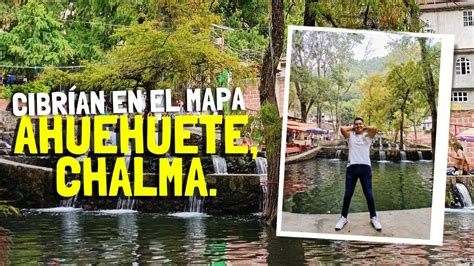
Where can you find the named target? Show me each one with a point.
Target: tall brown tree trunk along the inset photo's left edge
(267, 94)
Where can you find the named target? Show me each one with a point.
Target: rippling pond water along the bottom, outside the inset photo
(88, 237)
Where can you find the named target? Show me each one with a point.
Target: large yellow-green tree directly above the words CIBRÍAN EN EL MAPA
(151, 56)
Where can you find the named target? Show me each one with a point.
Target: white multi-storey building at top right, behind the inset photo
(455, 17)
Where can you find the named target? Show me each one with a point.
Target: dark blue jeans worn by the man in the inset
(364, 173)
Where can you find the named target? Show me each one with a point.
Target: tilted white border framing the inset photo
(442, 136)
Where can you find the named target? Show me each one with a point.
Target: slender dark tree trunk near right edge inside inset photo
(430, 91)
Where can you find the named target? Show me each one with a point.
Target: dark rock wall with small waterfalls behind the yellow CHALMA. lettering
(29, 186)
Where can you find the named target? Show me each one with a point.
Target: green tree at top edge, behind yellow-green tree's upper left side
(90, 25)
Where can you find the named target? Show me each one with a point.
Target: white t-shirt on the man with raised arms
(359, 148)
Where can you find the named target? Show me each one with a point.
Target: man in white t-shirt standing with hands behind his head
(359, 139)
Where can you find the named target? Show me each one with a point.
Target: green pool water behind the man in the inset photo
(318, 186)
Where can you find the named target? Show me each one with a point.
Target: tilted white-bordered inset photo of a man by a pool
(367, 114)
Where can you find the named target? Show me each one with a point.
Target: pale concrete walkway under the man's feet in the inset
(413, 223)
